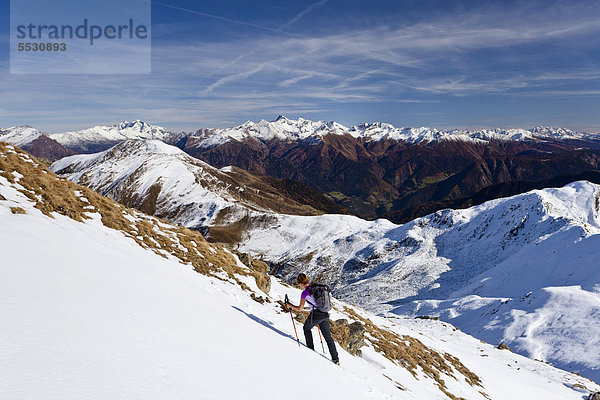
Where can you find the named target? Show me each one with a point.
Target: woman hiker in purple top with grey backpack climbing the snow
(315, 318)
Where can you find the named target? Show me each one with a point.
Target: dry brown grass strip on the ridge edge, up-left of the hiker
(51, 194)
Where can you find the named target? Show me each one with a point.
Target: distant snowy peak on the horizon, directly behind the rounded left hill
(102, 137)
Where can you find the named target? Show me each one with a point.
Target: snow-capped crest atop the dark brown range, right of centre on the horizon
(302, 129)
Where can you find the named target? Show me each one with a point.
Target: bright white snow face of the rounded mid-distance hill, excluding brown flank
(117, 177)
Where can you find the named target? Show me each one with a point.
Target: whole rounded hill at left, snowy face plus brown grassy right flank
(162, 180)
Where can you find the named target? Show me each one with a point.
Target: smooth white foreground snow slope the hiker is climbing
(88, 312)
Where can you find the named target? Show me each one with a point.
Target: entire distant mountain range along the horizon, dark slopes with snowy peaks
(372, 170)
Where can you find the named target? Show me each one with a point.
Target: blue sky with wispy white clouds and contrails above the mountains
(411, 63)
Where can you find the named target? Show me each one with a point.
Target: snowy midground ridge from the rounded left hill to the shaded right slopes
(509, 271)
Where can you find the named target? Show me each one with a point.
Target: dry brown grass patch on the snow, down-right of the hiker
(412, 354)
